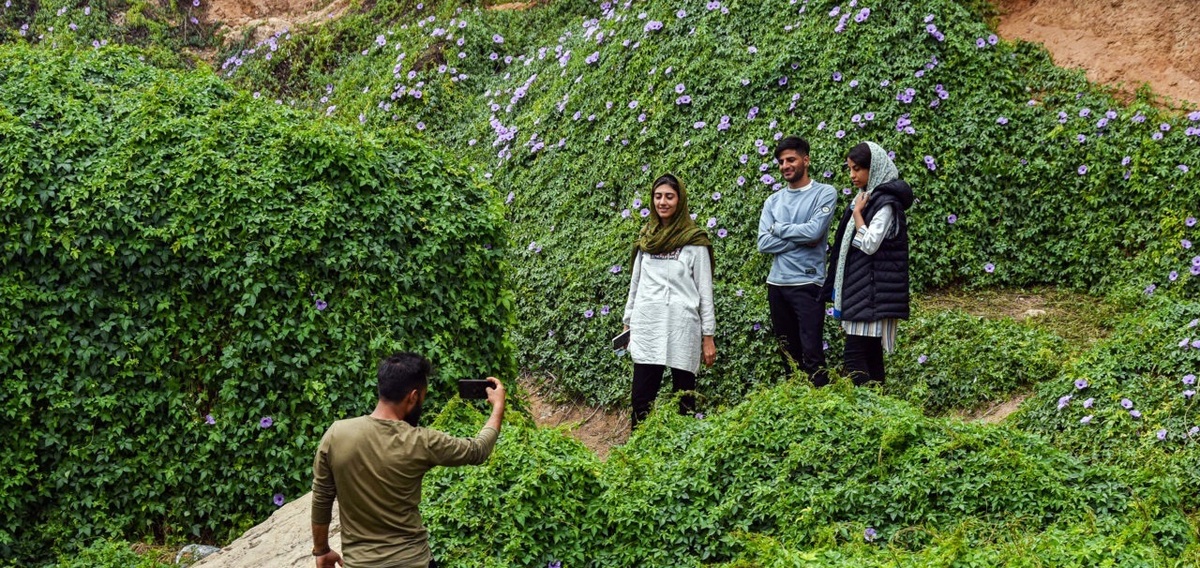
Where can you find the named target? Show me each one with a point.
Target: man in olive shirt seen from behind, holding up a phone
(374, 465)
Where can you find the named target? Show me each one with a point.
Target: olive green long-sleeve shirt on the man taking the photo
(375, 469)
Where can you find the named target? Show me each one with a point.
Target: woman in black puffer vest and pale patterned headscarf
(868, 276)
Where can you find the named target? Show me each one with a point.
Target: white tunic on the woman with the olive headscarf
(670, 308)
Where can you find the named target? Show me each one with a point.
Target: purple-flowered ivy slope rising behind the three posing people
(1024, 172)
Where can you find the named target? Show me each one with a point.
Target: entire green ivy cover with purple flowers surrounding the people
(470, 182)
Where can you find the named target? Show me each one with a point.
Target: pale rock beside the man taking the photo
(283, 541)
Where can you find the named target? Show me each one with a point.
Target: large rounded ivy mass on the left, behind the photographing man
(197, 283)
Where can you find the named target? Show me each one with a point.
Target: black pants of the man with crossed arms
(797, 316)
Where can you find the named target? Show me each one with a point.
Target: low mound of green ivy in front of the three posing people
(795, 477)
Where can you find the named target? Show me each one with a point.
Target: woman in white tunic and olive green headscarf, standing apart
(670, 308)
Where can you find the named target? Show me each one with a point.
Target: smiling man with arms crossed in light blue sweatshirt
(794, 226)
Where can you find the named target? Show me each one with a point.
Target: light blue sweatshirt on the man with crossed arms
(793, 223)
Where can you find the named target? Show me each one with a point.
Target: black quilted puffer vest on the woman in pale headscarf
(875, 286)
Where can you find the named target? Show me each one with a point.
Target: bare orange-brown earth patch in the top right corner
(1123, 44)
